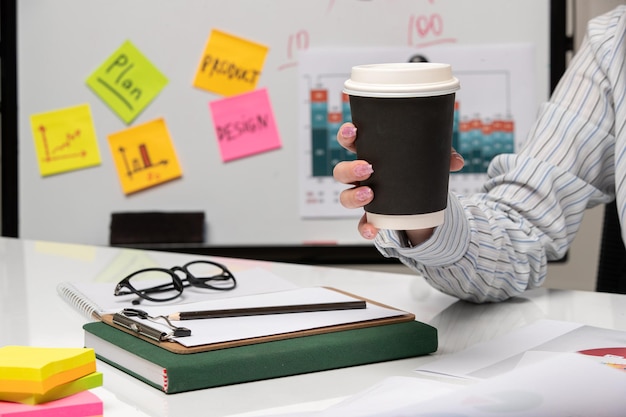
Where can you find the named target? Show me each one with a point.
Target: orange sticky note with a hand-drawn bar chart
(144, 156)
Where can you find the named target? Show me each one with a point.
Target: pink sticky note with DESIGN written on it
(244, 125)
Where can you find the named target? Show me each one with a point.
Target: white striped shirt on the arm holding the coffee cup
(496, 244)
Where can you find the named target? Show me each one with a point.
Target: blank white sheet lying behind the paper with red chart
(506, 352)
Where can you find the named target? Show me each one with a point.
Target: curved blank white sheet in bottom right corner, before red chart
(565, 385)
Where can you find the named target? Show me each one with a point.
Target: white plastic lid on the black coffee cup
(406, 79)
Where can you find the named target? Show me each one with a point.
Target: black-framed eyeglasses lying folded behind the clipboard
(162, 284)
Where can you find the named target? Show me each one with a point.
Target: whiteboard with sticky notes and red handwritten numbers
(251, 201)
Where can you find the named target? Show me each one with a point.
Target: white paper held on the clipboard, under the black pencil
(206, 331)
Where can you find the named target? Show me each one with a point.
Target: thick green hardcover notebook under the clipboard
(172, 372)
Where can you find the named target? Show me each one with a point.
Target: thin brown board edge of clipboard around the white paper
(175, 347)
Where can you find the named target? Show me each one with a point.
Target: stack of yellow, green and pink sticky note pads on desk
(34, 380)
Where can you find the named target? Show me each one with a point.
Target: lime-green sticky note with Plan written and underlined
(127, 82)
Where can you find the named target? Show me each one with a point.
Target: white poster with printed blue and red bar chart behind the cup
(494, 110)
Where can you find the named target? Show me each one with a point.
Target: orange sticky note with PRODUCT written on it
(230, 65)
